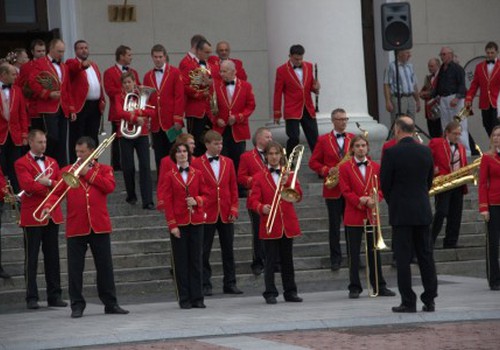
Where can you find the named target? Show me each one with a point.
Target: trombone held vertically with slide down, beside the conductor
(375, 230)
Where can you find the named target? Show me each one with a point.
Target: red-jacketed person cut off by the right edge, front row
(489, 205)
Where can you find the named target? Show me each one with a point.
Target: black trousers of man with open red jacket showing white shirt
(87, 123)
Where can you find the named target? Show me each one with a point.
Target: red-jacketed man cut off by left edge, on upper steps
(13, 122)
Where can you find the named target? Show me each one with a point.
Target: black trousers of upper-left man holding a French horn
(56, 126)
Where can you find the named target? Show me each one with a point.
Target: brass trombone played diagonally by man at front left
(72, 180)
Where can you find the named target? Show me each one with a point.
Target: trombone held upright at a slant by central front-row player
(289, 194)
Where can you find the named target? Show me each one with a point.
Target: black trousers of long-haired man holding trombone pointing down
(354, 237)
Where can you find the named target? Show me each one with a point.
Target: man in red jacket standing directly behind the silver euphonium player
(113, 87)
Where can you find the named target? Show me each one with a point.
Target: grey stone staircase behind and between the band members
(141, 249)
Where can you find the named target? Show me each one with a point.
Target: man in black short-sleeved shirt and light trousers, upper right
(451, 90)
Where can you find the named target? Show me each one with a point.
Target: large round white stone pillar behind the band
(331, 32)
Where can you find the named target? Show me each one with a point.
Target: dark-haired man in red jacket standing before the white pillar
(294, 83)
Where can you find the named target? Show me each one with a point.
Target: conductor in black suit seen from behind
(406, 177)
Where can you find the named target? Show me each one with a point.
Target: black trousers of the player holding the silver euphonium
(141, 146)
